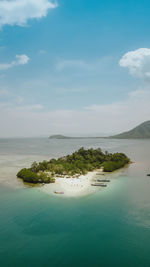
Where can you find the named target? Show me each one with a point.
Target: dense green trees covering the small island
(80, 162)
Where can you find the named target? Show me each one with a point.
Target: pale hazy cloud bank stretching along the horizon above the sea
(116, 117)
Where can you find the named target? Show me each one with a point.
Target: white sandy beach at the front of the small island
(73, 187)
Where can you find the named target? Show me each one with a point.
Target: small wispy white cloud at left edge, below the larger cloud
(20, 60)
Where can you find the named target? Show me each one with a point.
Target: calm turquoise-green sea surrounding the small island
(108, 228)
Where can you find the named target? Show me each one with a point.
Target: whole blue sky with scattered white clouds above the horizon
(73, 67)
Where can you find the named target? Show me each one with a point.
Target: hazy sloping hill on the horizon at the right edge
(142, 131)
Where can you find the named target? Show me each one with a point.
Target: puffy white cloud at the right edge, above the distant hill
(138, 62)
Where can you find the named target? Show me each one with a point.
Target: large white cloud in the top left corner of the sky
(18, 12)
